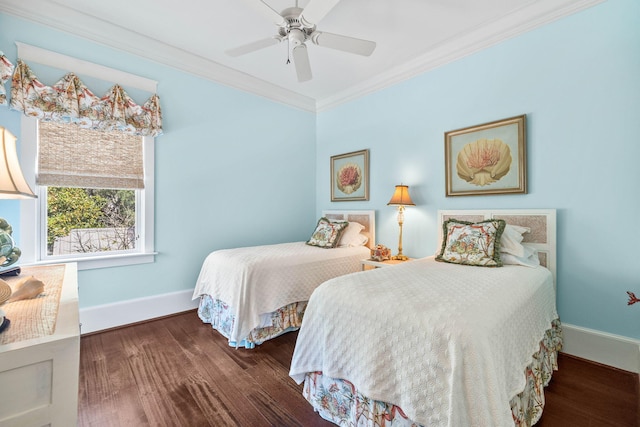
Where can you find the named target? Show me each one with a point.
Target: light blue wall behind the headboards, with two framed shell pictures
(578, 82)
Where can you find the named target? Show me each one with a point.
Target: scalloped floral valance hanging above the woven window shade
(70, 101)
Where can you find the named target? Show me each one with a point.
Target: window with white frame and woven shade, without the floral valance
(93, 226)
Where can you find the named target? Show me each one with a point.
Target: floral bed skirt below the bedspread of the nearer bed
(341, 403)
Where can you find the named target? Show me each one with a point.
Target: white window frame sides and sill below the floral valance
(33, 217)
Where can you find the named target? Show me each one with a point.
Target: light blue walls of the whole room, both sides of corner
(224, 168)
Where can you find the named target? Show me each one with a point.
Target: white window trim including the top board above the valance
(30, 213)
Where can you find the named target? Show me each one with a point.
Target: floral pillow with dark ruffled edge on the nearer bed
(472, 243)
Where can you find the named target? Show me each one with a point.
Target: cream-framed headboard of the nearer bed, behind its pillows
(542, 223)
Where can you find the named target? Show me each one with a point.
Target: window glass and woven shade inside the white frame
(92, 180)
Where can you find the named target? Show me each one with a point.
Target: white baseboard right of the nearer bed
(608, 349)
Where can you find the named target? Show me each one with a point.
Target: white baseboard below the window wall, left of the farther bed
(101, 317)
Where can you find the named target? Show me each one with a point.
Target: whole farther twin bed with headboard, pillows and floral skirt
(257, 293)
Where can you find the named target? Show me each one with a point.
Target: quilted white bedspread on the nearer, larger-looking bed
(446, 343)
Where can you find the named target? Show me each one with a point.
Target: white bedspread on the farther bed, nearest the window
(260, 279)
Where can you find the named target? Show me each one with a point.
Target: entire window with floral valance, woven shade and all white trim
(92, 216)
